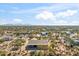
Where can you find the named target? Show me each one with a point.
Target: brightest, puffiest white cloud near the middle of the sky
(45, 15)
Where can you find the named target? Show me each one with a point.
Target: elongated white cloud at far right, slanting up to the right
(66, 13)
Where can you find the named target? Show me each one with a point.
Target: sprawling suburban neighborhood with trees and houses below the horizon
(39, 40)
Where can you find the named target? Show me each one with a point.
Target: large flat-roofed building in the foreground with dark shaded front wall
(37, 45)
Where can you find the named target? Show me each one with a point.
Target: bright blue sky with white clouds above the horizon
(39, 13)
